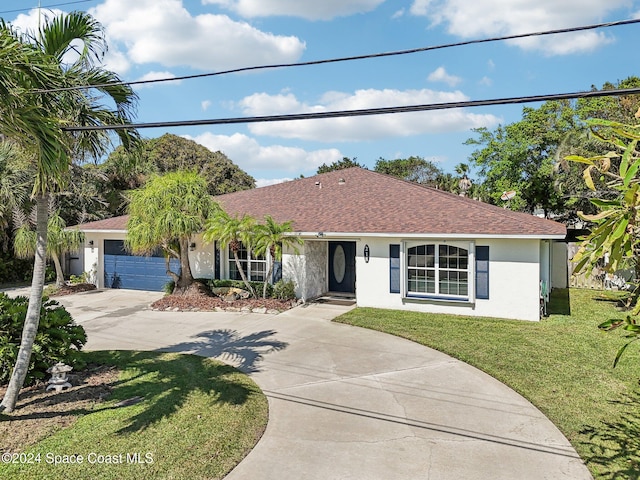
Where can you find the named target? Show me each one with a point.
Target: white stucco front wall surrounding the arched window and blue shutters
(514, 274)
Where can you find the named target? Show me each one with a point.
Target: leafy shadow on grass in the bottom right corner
(613, 449)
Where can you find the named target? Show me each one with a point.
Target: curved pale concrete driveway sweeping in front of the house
(345, 402)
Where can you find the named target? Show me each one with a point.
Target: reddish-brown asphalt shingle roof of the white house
(356, 200)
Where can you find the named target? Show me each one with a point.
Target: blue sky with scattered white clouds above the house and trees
(167, 38)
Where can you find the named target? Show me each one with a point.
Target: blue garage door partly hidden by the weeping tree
(133, 272)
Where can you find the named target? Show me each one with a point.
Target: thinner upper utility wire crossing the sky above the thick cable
(357, 57)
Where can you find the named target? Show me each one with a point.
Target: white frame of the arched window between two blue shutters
(437, 295)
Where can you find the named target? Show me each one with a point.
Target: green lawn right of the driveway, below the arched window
(562, 364)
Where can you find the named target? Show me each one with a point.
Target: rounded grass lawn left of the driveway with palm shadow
(184, 417)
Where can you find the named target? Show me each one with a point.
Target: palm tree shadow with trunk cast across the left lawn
(159, 383)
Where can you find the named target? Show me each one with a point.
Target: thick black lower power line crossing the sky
(363, 112)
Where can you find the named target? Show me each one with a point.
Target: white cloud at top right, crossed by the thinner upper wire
(482, 18)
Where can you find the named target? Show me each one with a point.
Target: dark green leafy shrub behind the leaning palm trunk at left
(59, 339)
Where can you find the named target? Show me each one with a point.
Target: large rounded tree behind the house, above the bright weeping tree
(127, 170)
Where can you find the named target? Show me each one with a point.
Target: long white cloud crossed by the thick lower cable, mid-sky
(363, 128)
